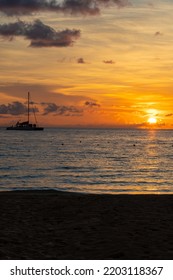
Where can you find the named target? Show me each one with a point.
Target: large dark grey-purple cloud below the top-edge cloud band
(39, 34)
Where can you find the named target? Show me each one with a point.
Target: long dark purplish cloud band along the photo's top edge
(84, 7)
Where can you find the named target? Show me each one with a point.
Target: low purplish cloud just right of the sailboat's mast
(62, 110)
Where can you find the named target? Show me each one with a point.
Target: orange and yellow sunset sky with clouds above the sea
(90, 63)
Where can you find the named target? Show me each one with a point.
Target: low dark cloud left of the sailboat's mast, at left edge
(15, 108)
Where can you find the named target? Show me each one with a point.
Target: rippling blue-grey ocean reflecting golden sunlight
(111, 161)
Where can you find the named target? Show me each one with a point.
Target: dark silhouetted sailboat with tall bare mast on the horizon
(25, 125)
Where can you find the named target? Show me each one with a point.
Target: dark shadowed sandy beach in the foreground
(58, 225)
